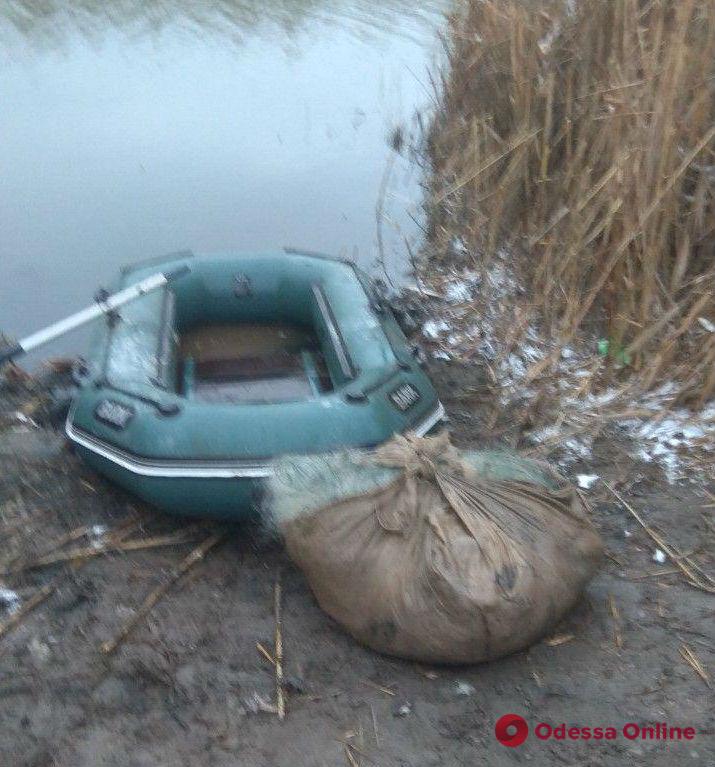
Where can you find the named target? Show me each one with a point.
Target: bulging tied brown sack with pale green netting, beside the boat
(425, 553)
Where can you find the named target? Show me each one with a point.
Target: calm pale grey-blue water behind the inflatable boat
(131, 129)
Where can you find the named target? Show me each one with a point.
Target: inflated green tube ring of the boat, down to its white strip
(141, 425)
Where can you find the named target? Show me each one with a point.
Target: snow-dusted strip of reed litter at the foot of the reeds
(476, 316)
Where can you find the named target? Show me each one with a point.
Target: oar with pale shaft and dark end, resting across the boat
(103, 306)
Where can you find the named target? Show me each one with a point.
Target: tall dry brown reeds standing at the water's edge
(580, 135)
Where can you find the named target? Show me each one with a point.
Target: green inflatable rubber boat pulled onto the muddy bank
(191, 390)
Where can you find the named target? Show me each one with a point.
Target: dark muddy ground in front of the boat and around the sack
(187, 686)
